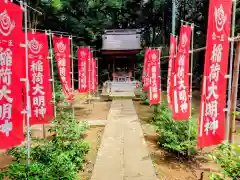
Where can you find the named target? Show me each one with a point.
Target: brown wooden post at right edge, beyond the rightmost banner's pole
(234, 92)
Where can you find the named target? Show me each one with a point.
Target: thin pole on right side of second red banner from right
(190, 97)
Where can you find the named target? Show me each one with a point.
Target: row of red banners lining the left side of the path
(13, 70)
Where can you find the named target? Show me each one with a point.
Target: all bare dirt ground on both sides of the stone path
(167, 165)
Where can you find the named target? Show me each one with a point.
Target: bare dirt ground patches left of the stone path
(97, 110)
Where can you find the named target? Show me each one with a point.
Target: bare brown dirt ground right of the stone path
(167, 165)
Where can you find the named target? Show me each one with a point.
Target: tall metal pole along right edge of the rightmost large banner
(228, 137)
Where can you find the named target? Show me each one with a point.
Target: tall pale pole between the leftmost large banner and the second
(28, 112)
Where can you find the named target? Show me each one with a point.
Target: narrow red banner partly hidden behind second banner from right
(172, 53)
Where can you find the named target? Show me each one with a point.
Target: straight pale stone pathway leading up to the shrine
(123, 154)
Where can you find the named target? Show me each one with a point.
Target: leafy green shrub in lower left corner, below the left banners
(59, 157)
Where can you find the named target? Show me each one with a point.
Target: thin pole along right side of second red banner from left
(53, 81)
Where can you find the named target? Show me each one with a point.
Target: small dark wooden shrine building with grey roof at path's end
(119, 50)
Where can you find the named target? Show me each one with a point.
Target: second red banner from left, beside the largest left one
(39, 79)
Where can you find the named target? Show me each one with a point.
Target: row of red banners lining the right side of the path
(211, 123)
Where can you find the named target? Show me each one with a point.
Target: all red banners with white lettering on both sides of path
(213, 102)
